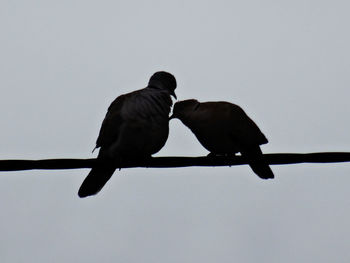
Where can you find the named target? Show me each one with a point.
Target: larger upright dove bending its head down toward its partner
(135, 127)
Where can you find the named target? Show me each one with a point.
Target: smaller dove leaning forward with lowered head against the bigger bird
(224, 128)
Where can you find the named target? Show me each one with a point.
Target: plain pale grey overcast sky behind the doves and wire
(286, 63)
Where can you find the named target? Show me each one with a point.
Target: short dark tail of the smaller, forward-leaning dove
(257, 162)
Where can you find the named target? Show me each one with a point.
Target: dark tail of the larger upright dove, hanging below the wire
(95, 180)
